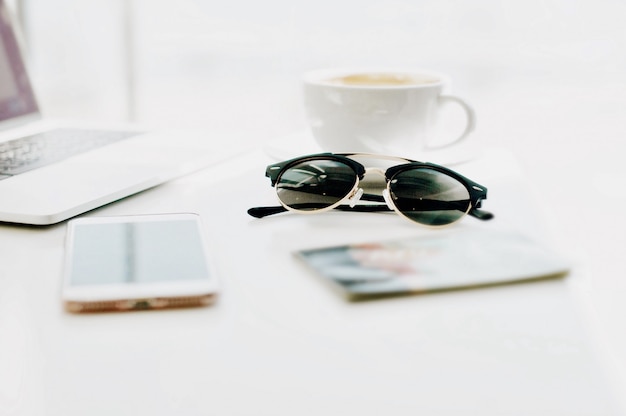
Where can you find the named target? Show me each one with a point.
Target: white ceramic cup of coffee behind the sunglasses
(379, 110)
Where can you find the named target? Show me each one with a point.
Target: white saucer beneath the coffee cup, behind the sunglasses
(302, 143)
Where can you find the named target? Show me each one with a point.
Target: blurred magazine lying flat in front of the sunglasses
(441, 260)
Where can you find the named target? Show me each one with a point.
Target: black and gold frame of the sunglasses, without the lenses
(477, 192)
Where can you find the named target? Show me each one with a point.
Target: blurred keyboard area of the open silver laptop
(41, 149)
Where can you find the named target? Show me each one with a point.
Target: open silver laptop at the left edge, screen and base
(51, 172)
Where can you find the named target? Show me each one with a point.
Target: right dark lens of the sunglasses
(429, 197)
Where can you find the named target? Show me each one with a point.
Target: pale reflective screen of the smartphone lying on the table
(137, 252)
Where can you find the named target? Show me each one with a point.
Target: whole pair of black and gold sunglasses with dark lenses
(424, 193)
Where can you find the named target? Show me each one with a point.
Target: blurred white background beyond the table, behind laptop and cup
(547, 78)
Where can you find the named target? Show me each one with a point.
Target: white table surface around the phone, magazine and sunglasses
(280, 342)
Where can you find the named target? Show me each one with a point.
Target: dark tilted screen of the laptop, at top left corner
(16, 93)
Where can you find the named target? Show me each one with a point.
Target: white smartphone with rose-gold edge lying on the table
(137, 262)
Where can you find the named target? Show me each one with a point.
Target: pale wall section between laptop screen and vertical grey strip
(75, 57)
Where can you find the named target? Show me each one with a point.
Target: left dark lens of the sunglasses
(315, 184)
